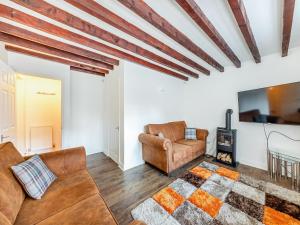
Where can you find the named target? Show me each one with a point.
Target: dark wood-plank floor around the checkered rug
(123, 191)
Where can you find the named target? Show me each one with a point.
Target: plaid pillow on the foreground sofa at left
(34, 176)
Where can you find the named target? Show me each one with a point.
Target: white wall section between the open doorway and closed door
(87, 100)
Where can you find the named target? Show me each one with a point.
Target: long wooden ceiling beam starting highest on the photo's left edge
(25, 19)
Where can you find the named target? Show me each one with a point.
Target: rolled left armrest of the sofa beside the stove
(155, 141)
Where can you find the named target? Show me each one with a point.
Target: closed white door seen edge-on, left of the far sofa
(113, 121)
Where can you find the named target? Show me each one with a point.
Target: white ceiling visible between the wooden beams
(265, 17)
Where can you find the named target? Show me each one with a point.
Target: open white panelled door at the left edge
(7, 104)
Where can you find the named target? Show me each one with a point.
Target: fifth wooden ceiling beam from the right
(93, 8)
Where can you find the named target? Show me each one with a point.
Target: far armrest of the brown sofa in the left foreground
(65, 161)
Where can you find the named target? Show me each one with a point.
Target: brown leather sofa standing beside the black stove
(172, 151)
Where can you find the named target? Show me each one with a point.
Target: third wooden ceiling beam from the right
(195, 12)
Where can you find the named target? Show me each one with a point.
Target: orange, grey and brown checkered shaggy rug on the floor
(209, 194)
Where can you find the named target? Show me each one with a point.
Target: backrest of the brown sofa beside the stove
(173, 130)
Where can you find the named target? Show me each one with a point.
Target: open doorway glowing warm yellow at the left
(38, 110)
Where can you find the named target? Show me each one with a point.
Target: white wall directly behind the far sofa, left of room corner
(149, 97)
